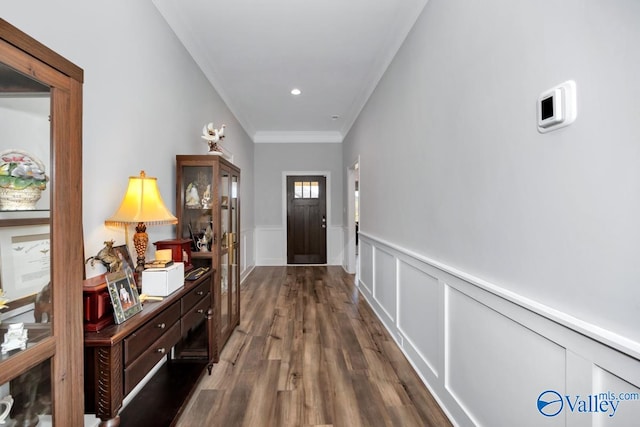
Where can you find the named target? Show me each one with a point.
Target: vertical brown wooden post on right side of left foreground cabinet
(66, 237)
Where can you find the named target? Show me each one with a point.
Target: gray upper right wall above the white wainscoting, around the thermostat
(553, 217)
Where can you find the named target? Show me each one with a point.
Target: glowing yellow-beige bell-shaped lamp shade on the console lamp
(142, 203)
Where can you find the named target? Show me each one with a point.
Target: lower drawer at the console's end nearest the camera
(152, 355)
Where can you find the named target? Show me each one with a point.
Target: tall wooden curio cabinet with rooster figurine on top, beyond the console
(208, 211)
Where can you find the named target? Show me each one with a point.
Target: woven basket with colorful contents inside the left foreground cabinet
(22, 180)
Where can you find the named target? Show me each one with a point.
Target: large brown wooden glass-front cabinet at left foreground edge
(41, 263)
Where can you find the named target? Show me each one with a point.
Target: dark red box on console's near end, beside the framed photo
(98, 311)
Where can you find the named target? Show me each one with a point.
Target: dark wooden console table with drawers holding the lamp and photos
(118, 357)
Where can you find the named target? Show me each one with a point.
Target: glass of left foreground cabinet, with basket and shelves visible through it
(26, 315)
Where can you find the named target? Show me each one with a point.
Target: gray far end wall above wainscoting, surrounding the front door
(273, 159)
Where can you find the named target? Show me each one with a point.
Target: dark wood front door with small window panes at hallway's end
(306, 220)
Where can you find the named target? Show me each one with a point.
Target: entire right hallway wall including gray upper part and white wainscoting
(518, 250)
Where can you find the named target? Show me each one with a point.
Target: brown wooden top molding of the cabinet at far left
(36, 49)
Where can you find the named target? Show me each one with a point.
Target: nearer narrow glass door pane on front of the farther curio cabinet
(226, 245)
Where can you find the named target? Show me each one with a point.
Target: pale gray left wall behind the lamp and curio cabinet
(145, 101)
